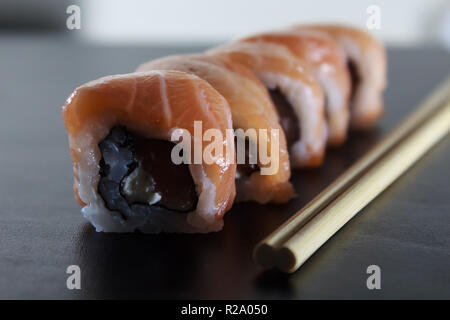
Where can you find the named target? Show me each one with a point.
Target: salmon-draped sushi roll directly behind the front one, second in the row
(252, 109)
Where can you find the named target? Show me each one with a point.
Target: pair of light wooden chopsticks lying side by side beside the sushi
(288, 247)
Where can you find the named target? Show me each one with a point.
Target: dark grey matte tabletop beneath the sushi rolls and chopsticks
(405, 231)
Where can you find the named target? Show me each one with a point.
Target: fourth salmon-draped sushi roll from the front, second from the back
(327, 60)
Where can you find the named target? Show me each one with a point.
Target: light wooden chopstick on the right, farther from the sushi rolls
(319, 229)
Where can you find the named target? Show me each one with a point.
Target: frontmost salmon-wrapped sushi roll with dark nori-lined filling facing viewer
(120, 135)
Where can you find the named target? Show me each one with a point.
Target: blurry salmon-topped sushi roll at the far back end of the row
(366, 58)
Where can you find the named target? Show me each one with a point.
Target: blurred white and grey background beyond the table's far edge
(174, 22)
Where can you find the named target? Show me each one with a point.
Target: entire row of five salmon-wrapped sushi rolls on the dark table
(304, 87)
